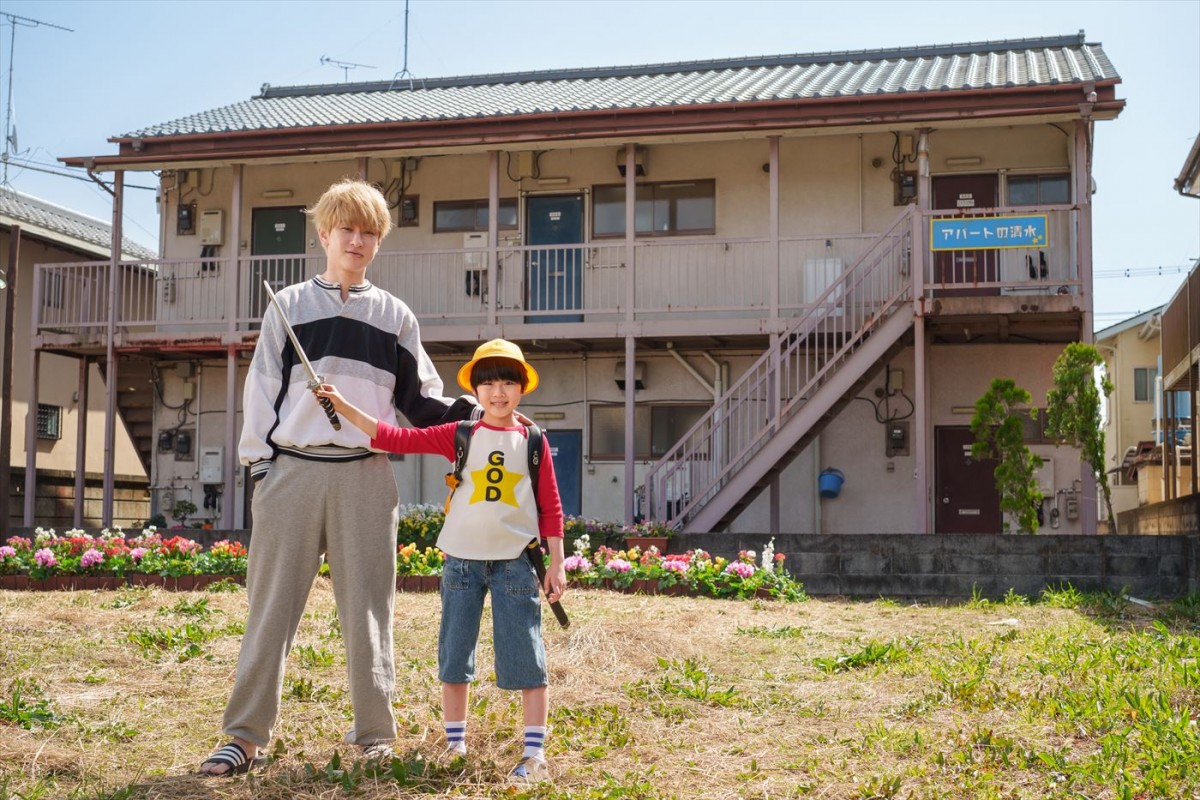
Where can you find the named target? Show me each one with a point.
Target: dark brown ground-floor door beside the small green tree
(968, 502)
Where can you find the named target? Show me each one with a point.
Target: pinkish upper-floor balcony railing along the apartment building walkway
(669, 279)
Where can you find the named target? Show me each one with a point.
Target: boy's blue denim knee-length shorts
(517, 622)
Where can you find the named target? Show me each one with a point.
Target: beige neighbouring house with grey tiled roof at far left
(68, 431)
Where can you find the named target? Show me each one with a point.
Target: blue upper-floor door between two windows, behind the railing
(555, 270)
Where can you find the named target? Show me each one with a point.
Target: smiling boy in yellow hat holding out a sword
(493, 516)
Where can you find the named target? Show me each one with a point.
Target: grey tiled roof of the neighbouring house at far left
(63, 226)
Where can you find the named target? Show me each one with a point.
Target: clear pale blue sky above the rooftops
(130, 64)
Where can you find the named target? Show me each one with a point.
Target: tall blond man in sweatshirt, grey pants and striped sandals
(320, 490)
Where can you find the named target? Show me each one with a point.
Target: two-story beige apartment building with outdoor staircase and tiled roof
(735, 276)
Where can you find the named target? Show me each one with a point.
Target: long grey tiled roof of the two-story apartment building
(1045, 62)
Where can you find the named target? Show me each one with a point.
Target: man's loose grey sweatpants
(303, 508)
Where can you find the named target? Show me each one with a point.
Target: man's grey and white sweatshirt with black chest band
(369, 346)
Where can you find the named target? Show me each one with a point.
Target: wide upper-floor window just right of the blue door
(659, 209)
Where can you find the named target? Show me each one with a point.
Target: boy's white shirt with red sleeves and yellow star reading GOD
(494, 515)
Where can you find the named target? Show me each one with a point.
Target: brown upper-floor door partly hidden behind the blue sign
(965, 196)
